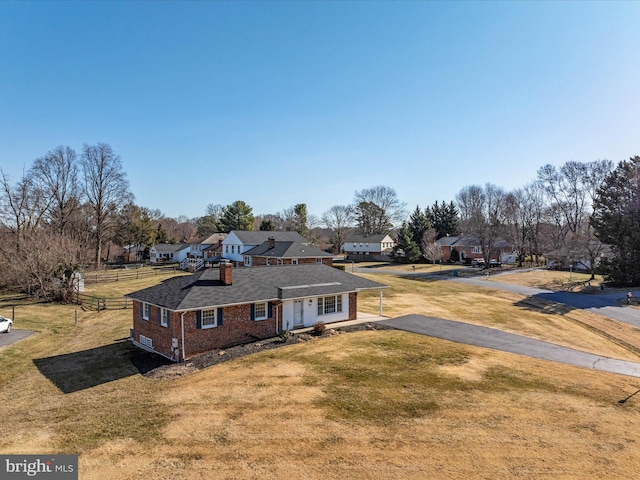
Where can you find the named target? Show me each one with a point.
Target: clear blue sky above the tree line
(278, 103)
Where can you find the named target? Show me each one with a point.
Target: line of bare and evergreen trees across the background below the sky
(70, 209)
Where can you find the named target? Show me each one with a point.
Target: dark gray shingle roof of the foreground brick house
(204, 288)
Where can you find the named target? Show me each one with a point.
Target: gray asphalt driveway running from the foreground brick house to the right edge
(508, 342)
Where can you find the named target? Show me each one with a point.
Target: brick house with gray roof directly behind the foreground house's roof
(273, 252)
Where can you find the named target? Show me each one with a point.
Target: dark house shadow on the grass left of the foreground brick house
(72, 372)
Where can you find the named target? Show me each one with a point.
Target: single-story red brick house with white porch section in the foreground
(221, 307)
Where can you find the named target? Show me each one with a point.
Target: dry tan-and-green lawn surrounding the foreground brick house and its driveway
(374, 404)
